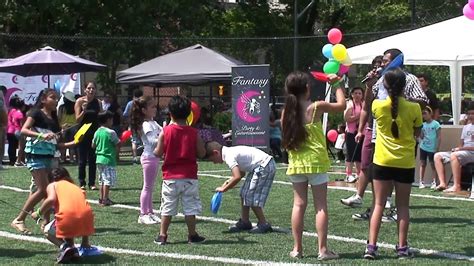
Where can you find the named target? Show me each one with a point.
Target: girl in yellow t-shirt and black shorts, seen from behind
(398, 122)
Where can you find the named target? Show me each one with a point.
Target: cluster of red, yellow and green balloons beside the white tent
(336, 53)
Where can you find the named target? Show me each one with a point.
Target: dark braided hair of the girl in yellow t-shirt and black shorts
(395, 80)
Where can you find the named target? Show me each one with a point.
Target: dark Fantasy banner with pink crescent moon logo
(250, 105)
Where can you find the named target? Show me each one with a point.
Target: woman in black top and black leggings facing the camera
(86, 109)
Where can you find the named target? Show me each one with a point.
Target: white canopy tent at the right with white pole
(448, 43)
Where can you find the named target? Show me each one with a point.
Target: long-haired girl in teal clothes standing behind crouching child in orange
(41, 143)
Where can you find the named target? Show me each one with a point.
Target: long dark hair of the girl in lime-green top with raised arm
(294, 132)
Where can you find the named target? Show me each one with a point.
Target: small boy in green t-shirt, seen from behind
(105, 143)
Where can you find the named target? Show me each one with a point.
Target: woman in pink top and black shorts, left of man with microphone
(351, 116)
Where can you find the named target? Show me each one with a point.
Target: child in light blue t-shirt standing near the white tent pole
(430, 141)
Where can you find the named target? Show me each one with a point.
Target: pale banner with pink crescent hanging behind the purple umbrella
(28, 88)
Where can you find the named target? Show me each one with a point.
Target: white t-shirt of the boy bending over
(245, 157)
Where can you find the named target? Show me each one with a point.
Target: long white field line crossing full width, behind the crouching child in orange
(279, 229)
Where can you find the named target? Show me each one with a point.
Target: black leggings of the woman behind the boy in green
(87, 156)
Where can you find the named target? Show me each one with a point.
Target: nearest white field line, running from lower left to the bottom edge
(178, 256)
